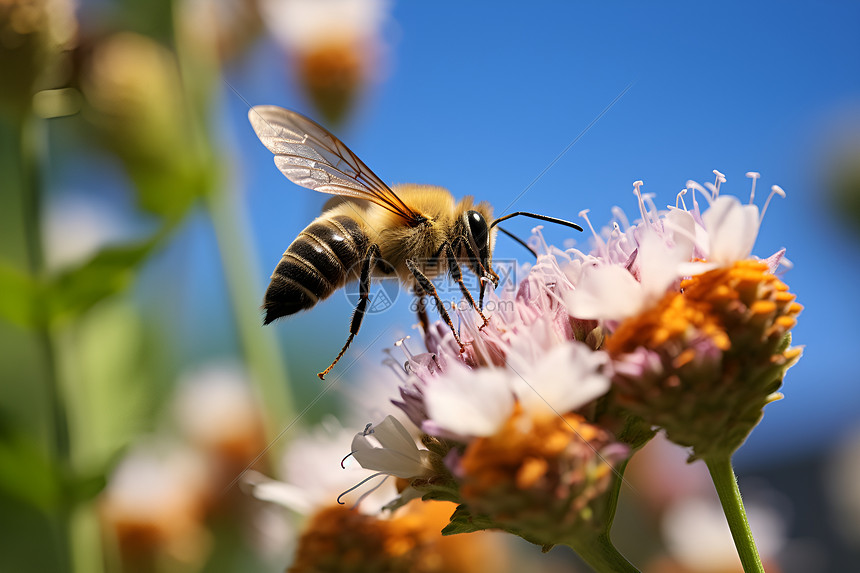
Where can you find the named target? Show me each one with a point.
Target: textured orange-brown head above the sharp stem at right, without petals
(703, 362)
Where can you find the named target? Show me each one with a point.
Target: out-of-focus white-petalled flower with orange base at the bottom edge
(353, 534)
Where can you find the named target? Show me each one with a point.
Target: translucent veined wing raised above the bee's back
(308, 155)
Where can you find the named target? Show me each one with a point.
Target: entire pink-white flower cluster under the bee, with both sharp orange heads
(668, 323)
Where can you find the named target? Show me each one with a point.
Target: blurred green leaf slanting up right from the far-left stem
(109, 272)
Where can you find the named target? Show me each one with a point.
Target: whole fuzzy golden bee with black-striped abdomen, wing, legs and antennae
(412, 232)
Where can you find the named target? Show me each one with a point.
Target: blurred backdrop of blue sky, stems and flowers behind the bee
(140, 219)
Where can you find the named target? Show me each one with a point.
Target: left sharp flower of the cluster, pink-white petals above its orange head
(503, 415)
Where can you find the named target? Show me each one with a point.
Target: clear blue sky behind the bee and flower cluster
(482, 100)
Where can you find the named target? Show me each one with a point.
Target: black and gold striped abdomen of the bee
(316, 264)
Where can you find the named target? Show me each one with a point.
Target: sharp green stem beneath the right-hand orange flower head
(726, 484)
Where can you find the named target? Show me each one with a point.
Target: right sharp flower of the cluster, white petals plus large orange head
(700, 357)
